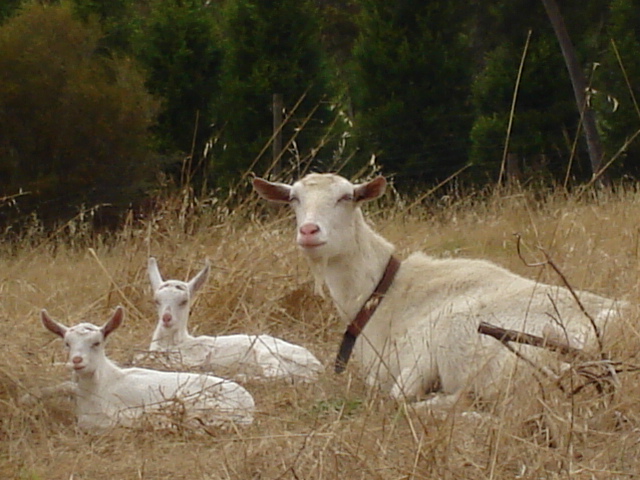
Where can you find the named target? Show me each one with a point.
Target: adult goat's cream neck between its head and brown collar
(352, 276)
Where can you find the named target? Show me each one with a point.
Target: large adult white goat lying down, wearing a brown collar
(420, 326)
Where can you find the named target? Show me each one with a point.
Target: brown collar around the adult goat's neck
(365, 313)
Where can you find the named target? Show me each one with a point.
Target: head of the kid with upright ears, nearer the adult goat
(173, 297)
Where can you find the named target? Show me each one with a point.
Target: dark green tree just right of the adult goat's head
(412, 70)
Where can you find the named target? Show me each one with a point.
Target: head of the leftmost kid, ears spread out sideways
(84, 341)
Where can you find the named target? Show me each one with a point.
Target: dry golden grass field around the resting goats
(336, 428)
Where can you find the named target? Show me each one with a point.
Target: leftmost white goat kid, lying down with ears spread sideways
(107, 395)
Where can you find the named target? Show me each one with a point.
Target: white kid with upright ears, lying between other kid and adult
(254, 356)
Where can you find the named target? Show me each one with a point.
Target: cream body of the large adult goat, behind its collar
(428, 322)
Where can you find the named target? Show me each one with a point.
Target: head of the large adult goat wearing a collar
(326, 208)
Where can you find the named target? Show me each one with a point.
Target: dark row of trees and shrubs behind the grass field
(426, 87)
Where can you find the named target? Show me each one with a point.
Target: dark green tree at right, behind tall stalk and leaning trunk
(546, 120)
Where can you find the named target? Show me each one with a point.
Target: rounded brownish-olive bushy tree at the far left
(74, 123)
